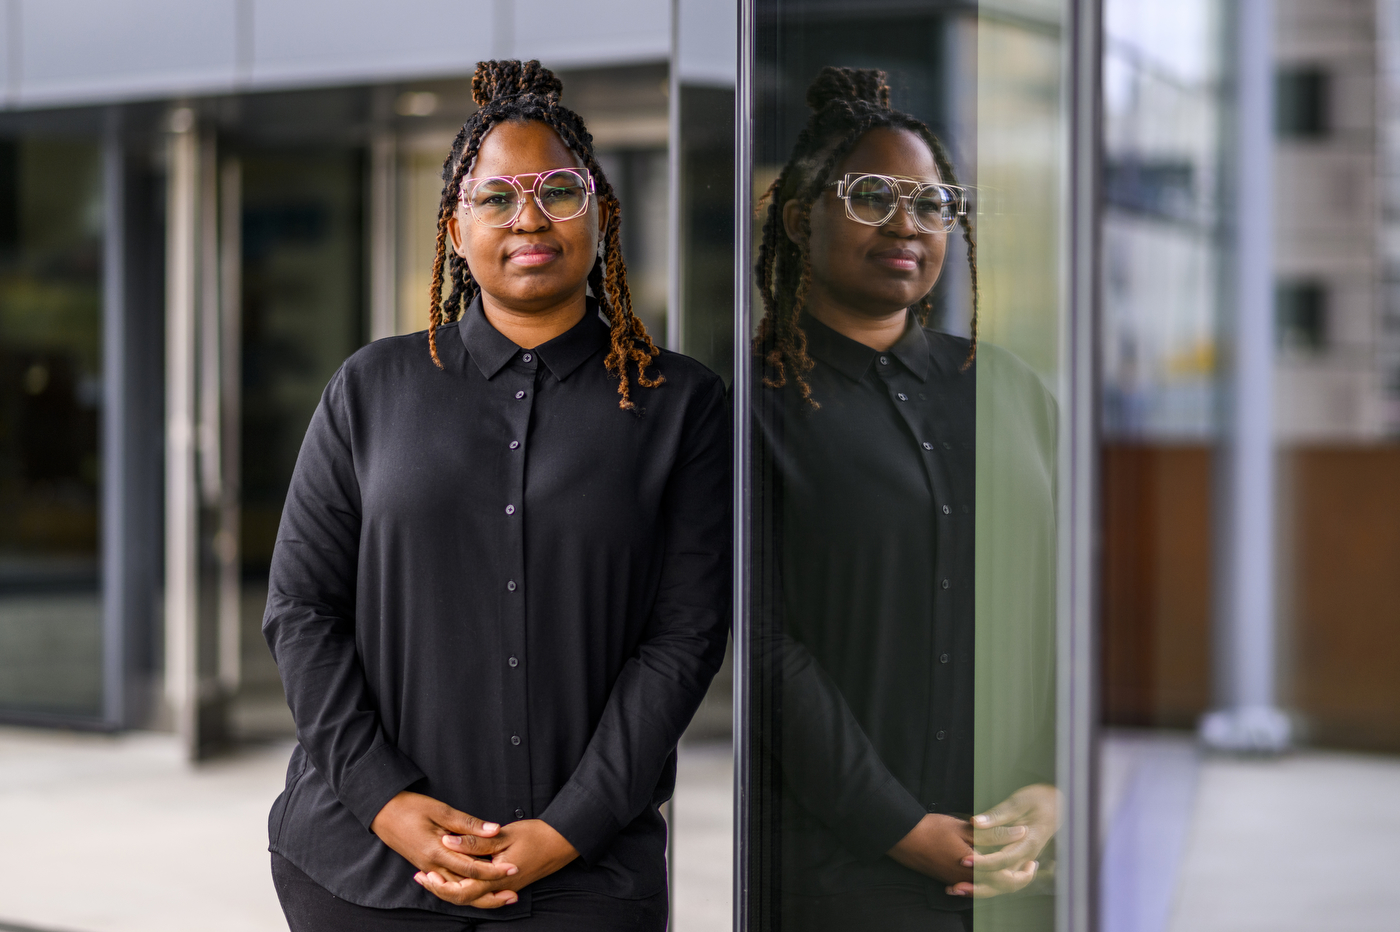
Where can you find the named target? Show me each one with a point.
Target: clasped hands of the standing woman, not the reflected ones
(467, 861)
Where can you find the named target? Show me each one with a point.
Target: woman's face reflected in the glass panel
(873, 271)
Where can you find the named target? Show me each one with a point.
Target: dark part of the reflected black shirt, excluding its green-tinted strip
(871, 502)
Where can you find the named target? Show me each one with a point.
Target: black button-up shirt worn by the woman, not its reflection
(495, 587)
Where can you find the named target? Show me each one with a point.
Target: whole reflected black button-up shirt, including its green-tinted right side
(905, 523)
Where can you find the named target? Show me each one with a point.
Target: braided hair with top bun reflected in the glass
(846, 104)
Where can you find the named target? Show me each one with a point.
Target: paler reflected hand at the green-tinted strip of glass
(1035, 811)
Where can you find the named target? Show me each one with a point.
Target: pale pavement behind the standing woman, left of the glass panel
(118, 835)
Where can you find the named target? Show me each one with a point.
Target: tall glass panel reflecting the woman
(904, 563)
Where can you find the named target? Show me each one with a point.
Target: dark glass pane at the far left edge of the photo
(51, 397)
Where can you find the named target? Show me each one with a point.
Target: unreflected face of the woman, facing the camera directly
(535, 264)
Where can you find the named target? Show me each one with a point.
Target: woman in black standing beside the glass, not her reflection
(499, 588)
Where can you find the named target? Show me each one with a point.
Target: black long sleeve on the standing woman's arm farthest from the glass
(310, 622)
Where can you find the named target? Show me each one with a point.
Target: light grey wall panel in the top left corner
(78, 51)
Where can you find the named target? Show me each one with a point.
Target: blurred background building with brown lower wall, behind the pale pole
(1336, 407)
